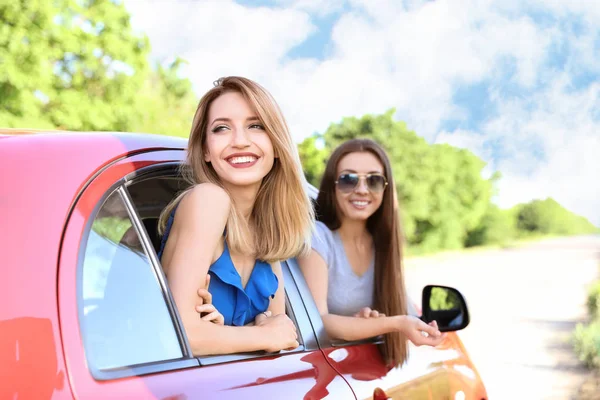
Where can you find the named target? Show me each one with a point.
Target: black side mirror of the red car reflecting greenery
(445, 305)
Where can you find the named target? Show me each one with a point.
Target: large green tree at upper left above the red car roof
(70, 64)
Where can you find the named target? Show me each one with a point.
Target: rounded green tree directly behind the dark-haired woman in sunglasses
(440, 188)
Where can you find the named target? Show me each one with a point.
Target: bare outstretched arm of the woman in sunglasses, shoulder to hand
(314, 269)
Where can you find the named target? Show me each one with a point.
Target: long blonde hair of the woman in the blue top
(282, 215)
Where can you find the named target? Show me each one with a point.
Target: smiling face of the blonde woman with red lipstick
(237, 144)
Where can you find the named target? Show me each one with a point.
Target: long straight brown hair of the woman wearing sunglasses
(385, 228)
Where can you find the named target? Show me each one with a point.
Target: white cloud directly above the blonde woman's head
(220, 37)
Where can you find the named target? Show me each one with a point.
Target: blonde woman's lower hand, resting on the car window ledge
(280, 330)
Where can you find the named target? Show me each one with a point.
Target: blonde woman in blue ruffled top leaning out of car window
(246, 210)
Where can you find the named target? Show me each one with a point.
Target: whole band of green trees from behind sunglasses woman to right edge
(445, 199)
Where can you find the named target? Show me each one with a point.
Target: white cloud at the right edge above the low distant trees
(564, 129)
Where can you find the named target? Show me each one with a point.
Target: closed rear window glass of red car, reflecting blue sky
(124, 318)
